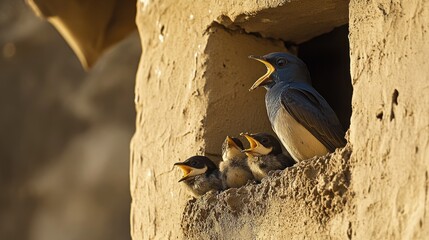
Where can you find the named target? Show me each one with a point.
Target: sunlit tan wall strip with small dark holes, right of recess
(389, 134)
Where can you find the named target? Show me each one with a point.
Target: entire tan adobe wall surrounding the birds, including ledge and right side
(191, 91)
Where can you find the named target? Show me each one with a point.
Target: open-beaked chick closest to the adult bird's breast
(265, 154)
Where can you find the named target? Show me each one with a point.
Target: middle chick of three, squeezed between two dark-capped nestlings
(234, 168)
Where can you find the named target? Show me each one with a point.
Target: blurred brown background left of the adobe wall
(65, 133)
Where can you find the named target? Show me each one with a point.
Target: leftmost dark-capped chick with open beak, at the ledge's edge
(200, 175)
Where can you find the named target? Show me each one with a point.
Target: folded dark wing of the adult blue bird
(313, 112)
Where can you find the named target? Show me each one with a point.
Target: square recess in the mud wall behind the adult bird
(229, 74)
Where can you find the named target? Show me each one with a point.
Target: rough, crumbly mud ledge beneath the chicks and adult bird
(306, 195)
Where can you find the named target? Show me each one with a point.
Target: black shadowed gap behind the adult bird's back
(328, 60)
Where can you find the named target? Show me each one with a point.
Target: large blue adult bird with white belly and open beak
(302, 119)
